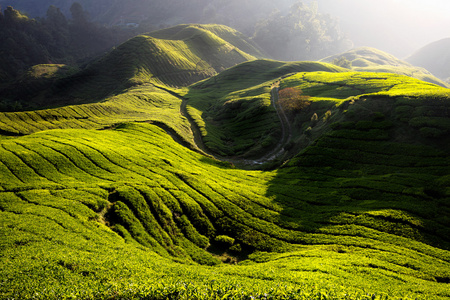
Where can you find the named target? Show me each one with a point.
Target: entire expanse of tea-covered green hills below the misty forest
(115, 193)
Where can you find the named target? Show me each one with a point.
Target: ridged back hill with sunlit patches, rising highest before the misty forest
(172, 62)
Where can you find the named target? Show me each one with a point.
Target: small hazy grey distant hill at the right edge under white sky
(434, 57)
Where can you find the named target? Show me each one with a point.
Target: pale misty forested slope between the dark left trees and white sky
(286, 29)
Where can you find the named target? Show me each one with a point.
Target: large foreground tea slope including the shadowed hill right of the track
(363, 210)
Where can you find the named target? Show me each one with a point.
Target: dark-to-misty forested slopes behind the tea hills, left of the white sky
(286, 29)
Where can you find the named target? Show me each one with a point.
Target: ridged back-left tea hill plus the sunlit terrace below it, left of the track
(135, 82)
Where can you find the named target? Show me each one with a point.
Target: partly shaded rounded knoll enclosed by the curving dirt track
(238, 101)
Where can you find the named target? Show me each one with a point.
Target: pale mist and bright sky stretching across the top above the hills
(306, 30)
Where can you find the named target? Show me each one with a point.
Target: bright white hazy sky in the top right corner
(399, 27)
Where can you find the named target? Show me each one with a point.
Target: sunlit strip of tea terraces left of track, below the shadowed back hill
(144, 103)
